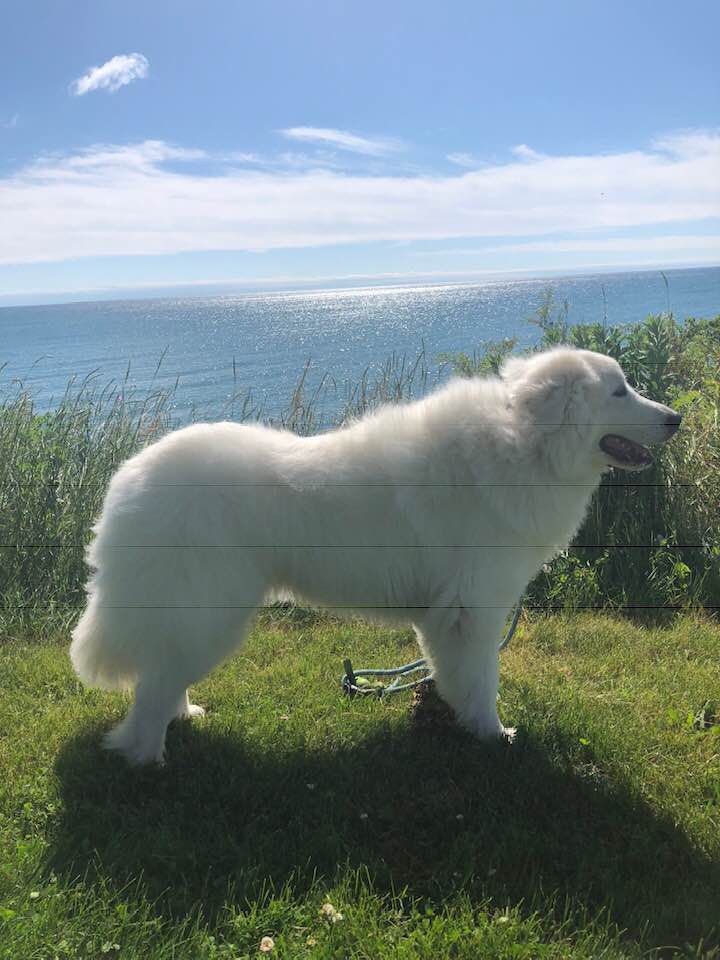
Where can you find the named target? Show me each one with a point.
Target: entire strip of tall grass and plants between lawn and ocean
(651, 540)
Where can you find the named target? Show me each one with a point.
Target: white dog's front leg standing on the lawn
(462, 646)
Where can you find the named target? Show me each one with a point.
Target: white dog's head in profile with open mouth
(584, 412)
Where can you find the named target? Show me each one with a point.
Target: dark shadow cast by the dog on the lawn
(432, 811)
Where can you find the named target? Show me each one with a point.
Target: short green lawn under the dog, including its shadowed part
(595, 835)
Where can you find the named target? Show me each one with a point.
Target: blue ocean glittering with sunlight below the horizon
(214, 349)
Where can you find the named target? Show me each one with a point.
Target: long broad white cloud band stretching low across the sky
(126, 200)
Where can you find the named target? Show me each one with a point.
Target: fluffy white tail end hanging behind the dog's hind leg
(96, 653)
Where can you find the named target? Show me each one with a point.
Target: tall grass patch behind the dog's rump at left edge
(54, 469)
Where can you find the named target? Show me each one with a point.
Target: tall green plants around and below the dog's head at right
(650, 540)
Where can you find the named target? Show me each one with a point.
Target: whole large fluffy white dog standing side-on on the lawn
(436, 512)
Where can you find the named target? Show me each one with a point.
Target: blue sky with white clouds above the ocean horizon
(158, 144)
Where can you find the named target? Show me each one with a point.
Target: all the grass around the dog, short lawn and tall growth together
(596, 835)
